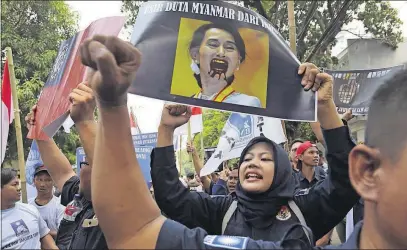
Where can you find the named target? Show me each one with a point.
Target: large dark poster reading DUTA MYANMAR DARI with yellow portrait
(218, 55)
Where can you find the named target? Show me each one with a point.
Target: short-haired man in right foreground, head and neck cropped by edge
(378, 171)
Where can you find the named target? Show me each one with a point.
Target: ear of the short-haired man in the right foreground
(364, 171)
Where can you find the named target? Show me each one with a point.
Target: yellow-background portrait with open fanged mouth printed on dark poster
(225, 64)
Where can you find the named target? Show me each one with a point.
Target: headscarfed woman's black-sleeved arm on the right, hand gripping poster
(334, 196)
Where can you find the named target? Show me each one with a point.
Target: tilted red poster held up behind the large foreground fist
(66, 73)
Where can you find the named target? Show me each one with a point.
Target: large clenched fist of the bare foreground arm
(114, 63)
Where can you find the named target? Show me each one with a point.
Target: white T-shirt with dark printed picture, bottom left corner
(22, 227)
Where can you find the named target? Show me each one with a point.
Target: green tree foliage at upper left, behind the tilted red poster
(34, 30)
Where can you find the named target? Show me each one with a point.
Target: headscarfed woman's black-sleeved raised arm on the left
(193, 209)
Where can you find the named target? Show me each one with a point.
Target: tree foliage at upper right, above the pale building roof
(314, 17)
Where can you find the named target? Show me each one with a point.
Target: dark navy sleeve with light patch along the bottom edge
(174, 235)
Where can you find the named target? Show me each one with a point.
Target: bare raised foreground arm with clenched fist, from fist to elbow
(127, 222)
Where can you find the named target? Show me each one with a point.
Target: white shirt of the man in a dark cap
(52, 213)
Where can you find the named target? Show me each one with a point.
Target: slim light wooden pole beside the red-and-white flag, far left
(17, 124)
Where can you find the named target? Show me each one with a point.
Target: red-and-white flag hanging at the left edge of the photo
(7, 115)
